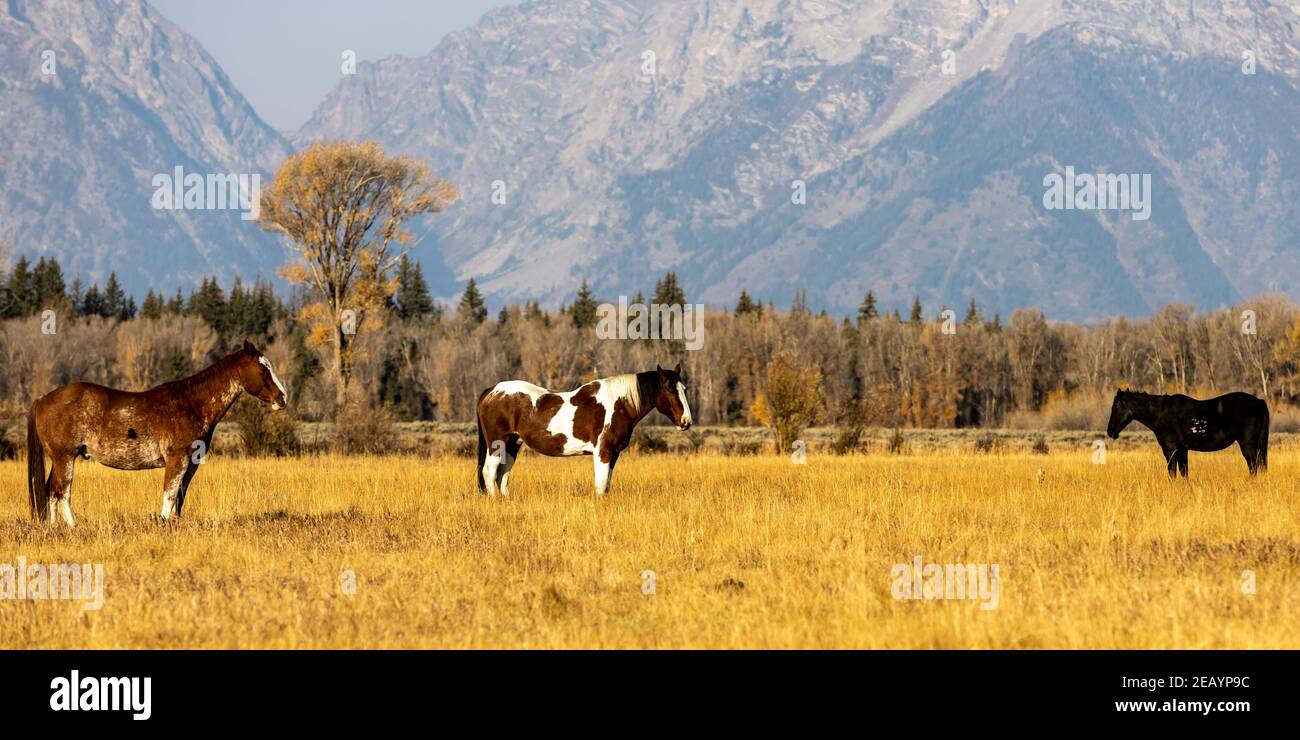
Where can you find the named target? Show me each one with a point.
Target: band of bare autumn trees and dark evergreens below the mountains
(430, 362)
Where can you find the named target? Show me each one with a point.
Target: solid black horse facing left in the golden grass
(1182, 423)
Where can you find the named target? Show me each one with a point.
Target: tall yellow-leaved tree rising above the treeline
(343, 207)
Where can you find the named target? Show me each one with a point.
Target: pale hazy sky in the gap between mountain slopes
(285, 55)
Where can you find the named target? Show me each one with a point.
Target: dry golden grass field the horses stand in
(747, 553)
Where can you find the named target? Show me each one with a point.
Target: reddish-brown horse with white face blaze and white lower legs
(166, 427)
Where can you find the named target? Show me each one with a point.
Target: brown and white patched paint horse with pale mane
(596, 419)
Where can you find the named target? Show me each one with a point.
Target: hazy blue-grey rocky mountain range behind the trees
(827, 146)
